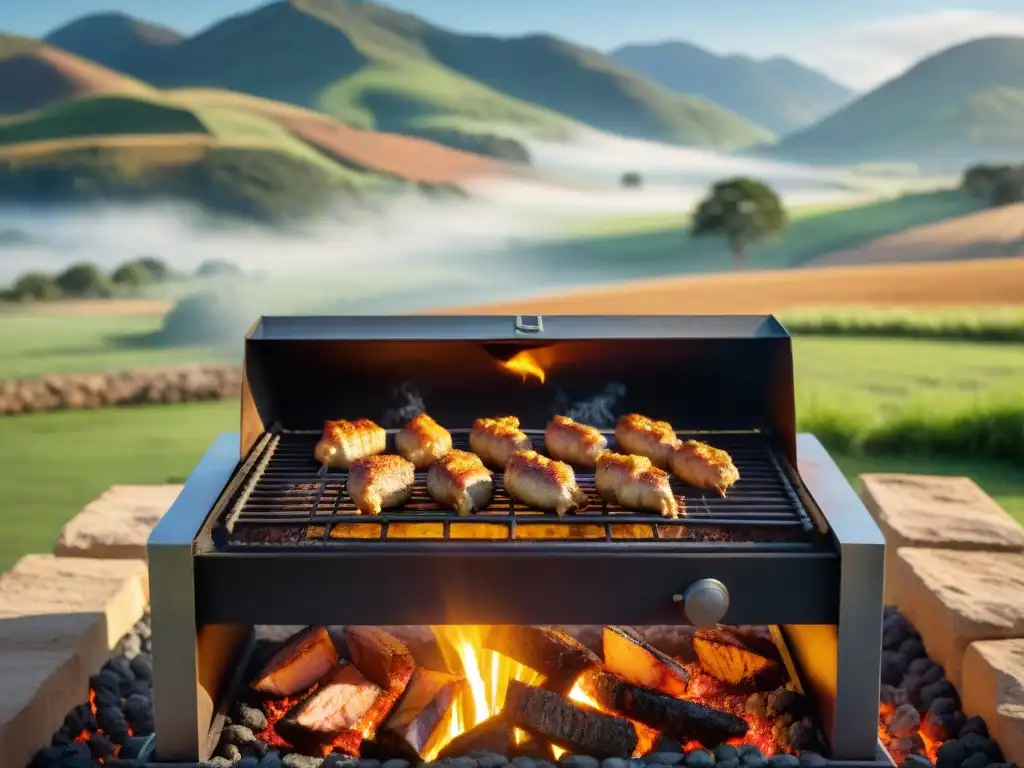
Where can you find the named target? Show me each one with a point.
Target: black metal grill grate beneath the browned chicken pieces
(288, 498)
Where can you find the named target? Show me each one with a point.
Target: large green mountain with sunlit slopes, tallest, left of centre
(372, 67)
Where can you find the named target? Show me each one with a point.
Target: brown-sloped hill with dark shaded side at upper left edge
(34, 75)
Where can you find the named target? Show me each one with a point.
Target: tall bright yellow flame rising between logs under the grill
(488, 674)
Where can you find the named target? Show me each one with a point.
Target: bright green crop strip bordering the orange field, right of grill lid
(963, 324)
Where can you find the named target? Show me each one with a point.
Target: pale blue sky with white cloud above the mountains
(858, 42)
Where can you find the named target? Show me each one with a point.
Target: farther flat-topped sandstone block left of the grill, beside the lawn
(118, 524)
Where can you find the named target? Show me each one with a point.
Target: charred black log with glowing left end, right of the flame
(674, 717)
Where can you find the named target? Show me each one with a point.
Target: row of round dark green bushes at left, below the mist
(87, 281)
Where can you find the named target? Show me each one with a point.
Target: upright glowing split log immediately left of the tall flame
(418, 722)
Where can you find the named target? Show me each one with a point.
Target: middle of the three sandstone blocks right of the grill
(955, 599)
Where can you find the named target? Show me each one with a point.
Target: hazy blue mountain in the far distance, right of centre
(779, 94)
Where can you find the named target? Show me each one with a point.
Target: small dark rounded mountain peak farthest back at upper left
(111, 38)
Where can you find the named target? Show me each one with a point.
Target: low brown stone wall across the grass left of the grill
(147, 387)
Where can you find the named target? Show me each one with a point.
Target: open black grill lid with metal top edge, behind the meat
(701, 373)
